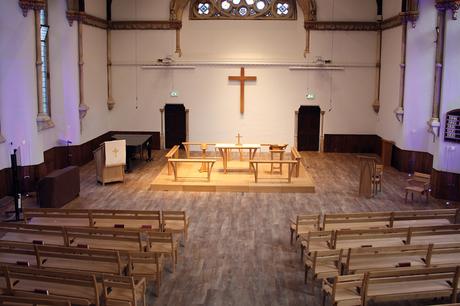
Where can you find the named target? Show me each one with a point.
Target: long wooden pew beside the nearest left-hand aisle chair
(78, 288)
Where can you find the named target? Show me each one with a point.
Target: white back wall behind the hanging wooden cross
(270, 102)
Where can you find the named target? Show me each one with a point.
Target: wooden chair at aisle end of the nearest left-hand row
(121, 290)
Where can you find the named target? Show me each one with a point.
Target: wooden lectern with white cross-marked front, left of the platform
(110, 161)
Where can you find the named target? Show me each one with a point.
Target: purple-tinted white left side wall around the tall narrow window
(18, 86)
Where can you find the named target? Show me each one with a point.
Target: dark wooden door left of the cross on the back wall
(175, 125)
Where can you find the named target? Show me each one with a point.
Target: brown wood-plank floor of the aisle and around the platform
(238, 251)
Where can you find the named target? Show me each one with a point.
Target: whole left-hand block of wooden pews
(98, 257)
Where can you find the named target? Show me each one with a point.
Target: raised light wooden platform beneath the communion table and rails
(238, 179)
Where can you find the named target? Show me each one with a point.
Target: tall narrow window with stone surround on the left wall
(43, 71)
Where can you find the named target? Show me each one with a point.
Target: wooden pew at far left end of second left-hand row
(39, 234)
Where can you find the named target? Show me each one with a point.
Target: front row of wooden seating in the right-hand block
(303, 224)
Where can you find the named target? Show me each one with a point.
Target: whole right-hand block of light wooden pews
(363, 257)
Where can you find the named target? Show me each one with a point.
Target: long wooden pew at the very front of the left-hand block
(94, 217)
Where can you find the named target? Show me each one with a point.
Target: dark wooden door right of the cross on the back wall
(308, 128)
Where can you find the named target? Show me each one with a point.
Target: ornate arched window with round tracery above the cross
(243, 9)
